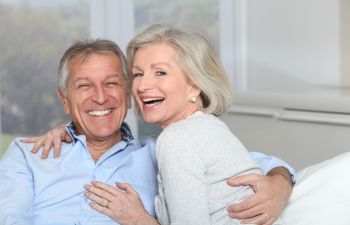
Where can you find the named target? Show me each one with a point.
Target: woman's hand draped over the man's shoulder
(53, 137)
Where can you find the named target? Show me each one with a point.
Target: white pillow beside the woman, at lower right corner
(321, 195)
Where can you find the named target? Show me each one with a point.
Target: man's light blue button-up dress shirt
(51, 192)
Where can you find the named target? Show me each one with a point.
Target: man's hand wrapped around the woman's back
(271, 197)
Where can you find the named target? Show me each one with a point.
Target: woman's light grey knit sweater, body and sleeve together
(195, 157)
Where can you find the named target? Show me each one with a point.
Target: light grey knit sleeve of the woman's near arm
(183, 181)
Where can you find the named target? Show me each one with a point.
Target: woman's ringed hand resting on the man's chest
(122, 204)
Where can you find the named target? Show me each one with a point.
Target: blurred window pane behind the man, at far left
(34, 35)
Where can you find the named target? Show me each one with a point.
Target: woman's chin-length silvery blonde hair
(197, 59)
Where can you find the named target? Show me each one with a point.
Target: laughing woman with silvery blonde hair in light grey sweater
(179, 84)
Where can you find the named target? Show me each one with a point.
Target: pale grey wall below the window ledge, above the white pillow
(300, 138)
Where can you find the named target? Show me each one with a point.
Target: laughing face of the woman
(160, 87)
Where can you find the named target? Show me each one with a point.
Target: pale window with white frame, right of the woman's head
(291, 54)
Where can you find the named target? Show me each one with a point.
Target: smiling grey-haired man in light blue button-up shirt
(93, 88)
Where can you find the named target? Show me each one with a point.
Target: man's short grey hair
(84, 49)
